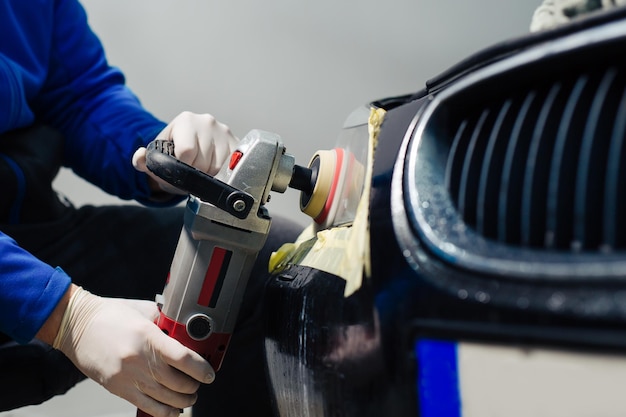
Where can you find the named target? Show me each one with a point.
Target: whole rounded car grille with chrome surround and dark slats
(518, 168)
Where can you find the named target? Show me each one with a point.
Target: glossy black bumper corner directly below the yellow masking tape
(327, 358)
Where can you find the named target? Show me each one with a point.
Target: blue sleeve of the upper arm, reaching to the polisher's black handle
(86, 99)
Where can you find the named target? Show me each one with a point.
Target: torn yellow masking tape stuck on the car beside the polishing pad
(342, 251)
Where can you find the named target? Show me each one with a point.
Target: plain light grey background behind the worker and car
(293, 67)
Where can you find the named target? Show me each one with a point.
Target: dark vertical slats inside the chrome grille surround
(544, 165)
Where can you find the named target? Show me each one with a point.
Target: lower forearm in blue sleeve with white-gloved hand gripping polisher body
(113, 341)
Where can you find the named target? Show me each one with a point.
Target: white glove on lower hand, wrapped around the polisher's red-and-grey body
(116, 343)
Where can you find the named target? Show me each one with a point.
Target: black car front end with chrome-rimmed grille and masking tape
(494, 264)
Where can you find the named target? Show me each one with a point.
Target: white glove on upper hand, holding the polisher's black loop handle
(199, 140)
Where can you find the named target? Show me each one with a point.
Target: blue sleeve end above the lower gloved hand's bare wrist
(29, 291)
